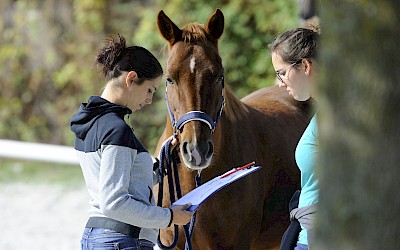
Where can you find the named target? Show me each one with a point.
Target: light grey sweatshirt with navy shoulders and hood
(118, 170)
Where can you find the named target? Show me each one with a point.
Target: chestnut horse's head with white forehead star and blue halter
(194, 85)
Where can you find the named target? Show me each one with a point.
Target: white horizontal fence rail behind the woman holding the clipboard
(37, 152)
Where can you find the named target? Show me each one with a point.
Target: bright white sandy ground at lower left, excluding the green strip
(42, 216)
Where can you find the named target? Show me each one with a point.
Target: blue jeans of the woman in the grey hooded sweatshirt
(105, 239)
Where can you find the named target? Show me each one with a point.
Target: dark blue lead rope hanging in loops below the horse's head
(170, 170)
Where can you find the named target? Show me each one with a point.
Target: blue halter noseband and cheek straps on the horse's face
(193, 116)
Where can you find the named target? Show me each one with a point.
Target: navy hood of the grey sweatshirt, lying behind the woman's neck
(89, 112)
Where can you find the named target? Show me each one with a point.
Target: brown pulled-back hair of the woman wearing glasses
(296, 44)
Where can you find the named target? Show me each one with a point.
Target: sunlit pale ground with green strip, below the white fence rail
(43, 205)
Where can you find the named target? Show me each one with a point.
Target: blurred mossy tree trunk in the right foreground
(359, 125)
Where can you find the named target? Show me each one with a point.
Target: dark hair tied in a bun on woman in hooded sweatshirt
(115, 57)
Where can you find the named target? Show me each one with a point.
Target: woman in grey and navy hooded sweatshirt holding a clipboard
(117, 169)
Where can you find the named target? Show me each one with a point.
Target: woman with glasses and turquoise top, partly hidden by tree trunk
(294, 59)
